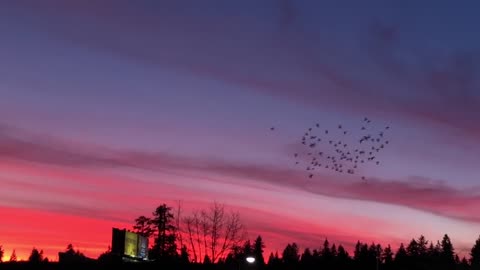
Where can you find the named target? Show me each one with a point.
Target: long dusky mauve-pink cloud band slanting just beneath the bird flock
(421, 194)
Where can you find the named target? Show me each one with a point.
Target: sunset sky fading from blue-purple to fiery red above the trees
(111, 108)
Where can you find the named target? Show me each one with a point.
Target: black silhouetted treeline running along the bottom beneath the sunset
(215, 238)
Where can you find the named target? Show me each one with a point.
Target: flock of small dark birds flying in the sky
(340, 150)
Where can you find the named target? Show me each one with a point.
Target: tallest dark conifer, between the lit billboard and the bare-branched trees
(164, 247)
